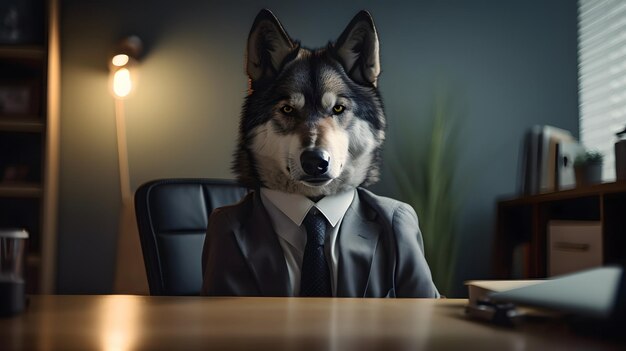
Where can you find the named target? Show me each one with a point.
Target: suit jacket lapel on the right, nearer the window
(358, 238)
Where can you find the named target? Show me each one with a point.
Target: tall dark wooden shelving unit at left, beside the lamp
(29, 119)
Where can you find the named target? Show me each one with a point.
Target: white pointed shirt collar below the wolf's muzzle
(296, 206)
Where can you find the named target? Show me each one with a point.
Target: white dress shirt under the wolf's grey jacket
(287, 211)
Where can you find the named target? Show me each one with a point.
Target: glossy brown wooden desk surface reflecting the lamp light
(121, 322)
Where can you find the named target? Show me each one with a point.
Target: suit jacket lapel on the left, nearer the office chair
(259, 245)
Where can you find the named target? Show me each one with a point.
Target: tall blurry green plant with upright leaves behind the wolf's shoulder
(424, 169)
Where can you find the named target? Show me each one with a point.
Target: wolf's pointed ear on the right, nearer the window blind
(357, 48)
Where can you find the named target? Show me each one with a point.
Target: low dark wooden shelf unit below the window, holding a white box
(522, 225)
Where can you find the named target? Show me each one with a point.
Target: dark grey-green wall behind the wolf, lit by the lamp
(510, 64)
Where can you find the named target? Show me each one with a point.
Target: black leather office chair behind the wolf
(172, 218)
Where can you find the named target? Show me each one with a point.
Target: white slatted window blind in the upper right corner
(602, 76)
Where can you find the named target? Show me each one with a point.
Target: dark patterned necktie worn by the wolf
(315, 278)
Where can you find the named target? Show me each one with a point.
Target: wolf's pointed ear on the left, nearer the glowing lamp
(268, 46)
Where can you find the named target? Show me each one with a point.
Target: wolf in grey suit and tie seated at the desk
(310, 136)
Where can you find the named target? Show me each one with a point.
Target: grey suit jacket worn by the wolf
(381, 252)
